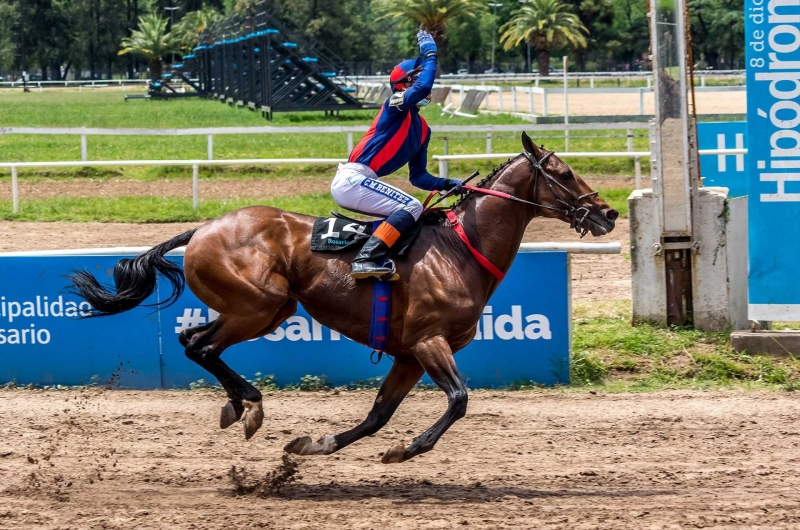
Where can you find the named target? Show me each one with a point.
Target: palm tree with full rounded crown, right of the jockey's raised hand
(543, 23)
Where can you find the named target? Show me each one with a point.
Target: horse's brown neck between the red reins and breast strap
(496, 226)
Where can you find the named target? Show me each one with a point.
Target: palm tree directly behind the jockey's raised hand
(431, 15)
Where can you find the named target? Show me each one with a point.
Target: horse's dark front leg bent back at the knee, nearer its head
(436, 357)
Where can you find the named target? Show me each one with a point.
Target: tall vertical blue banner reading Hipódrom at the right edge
(772, 36)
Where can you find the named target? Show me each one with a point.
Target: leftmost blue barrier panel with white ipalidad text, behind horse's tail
(42, 341)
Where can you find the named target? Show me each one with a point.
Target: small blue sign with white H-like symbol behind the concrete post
(727, 171)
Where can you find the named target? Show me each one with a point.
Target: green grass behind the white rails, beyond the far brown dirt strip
(68, 108)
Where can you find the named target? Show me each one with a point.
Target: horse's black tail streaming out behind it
(134, 280)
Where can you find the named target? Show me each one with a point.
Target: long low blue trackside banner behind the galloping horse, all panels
(524, 334)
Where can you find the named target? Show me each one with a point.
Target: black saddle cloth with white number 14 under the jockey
(340, 233)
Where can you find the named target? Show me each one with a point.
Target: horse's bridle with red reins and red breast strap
(574, 211)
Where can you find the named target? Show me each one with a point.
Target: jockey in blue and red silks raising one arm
(398, 136)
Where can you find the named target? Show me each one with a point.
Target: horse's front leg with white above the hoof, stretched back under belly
(401, 379)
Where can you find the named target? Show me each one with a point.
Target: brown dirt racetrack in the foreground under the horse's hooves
(120, 459)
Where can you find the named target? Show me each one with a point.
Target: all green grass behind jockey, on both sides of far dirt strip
(107, 109)
